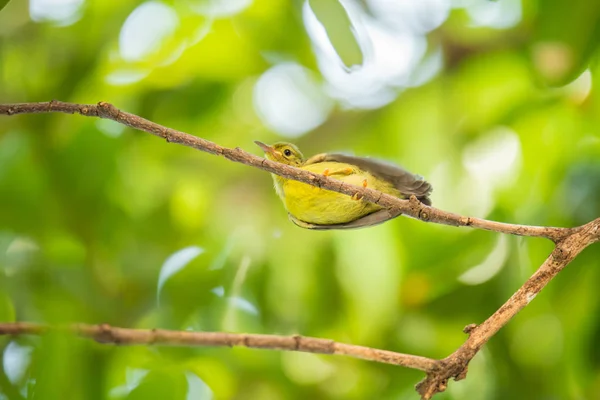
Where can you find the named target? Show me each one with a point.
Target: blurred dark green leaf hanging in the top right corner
(567, 37)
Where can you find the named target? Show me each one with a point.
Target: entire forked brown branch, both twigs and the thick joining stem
(569, 242)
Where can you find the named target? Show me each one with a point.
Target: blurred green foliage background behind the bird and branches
(506, 128)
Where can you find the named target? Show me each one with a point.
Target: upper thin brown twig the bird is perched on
(397, 206)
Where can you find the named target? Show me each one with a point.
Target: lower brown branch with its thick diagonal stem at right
(439, 372)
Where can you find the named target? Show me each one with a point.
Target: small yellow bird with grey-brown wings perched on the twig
(311, 207)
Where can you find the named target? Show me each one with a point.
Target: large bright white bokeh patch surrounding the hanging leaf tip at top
(392, 54)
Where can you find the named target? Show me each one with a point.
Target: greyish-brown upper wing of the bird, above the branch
(407, 183)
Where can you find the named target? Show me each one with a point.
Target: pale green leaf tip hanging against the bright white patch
(339, 29)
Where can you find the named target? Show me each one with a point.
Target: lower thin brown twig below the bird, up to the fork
(122, 336)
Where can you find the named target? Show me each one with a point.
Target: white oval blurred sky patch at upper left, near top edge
(145, 29)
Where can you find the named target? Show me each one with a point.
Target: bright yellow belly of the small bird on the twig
(324, 207)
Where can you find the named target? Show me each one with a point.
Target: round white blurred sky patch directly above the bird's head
(289, 99)
